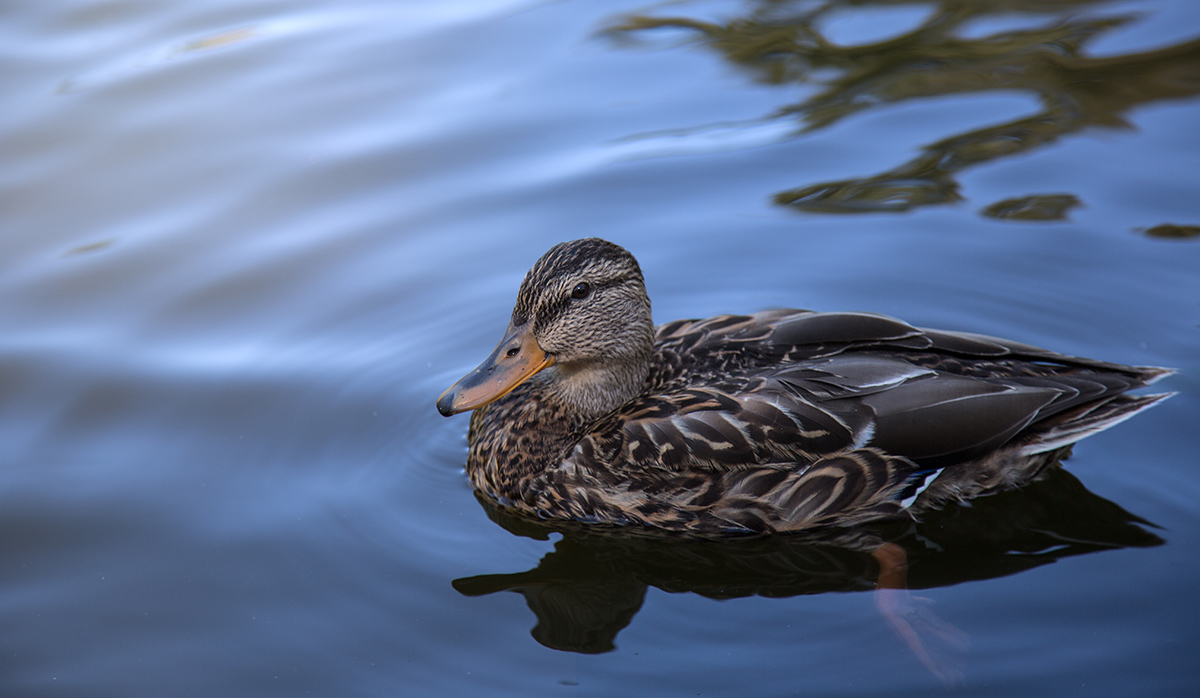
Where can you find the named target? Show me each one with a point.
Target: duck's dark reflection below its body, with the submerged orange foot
(595, 582)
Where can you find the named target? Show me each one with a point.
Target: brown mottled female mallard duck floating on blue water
(778, 422)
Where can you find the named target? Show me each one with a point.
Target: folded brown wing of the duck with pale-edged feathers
(795, 387)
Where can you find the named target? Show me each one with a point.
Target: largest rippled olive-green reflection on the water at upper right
(781, 44)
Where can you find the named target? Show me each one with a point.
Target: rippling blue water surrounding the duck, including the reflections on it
(245, 245)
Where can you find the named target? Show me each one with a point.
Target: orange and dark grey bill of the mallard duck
(515, 359)
